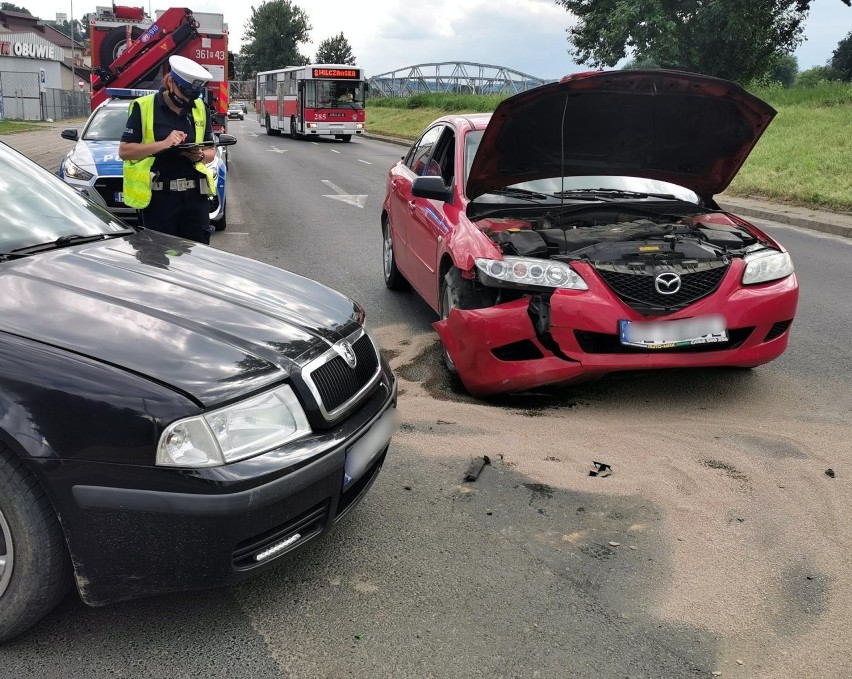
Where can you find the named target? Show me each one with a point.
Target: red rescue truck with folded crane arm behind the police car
(129, 50)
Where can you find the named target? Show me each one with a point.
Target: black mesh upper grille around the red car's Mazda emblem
(636, 287)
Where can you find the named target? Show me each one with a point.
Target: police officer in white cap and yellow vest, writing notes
(170, 186)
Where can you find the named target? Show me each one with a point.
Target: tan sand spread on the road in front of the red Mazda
(757, 534)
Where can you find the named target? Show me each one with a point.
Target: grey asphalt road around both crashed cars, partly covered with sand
(718, 544)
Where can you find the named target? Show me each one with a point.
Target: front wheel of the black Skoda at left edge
(35, 571)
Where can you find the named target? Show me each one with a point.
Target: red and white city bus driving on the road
(312, 100)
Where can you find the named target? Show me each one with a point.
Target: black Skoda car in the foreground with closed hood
(172, 416)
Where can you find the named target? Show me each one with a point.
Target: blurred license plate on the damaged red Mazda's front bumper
(672, 334)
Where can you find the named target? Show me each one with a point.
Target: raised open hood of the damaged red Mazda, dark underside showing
(687, 129)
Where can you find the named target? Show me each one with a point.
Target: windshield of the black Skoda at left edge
(38, 207)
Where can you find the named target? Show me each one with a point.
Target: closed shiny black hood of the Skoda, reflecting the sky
(203, 321)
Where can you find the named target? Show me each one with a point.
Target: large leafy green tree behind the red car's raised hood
(734, 39)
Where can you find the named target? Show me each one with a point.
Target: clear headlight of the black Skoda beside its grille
(235, 432)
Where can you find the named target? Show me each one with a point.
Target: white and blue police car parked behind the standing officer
(93, 165)
